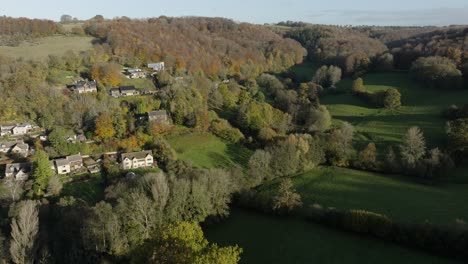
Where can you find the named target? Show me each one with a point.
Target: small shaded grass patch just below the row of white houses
(90, 190)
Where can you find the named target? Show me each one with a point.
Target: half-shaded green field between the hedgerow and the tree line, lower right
(394, 196)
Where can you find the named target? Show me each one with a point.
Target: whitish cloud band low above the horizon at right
(422, 17)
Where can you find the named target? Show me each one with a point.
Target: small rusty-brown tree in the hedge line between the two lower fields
(286, 199)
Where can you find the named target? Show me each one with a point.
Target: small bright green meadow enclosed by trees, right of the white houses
(208, 151)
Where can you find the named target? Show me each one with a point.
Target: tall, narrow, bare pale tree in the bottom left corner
(24, 229)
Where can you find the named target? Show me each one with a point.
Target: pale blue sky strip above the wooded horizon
(355, 12)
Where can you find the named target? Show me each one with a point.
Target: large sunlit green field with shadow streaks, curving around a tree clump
(421, 106)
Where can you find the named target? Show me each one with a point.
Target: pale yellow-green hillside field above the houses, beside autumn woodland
(41, 48)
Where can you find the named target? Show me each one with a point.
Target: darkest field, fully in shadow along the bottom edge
(271, 240)
